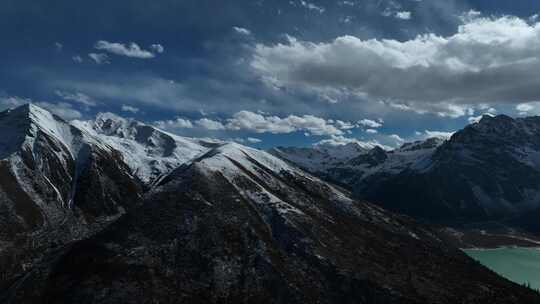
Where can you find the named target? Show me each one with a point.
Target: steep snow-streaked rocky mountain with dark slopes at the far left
(57, 184)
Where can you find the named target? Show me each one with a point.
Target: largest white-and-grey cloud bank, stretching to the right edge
(424, 73)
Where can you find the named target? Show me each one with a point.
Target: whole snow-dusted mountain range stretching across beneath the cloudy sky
(114, 210)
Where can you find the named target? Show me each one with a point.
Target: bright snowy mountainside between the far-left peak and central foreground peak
(148, 151)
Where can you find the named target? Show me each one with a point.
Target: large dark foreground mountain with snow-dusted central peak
(237, 225)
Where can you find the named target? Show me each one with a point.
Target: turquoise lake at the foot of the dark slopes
(521, 265)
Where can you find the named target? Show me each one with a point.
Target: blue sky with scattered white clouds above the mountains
(276, 73)
